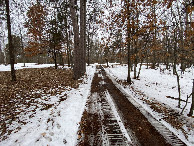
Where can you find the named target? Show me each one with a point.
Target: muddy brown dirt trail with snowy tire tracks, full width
(113, 118)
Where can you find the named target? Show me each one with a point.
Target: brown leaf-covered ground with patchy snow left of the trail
(32, 90)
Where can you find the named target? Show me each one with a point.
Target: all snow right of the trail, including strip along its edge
(156, 85)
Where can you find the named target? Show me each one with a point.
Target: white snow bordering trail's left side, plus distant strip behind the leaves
(59, 124)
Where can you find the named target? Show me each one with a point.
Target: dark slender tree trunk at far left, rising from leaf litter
(11, 47)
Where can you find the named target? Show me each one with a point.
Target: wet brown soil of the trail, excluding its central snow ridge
(92, 124)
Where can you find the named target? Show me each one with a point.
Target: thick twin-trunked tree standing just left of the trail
(79, 41)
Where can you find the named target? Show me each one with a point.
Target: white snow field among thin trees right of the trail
(157, 85)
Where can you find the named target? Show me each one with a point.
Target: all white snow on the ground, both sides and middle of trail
(59, 124)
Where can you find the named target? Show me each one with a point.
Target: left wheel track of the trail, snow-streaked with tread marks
(101, 126)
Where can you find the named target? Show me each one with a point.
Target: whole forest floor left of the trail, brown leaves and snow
(43, 107)
